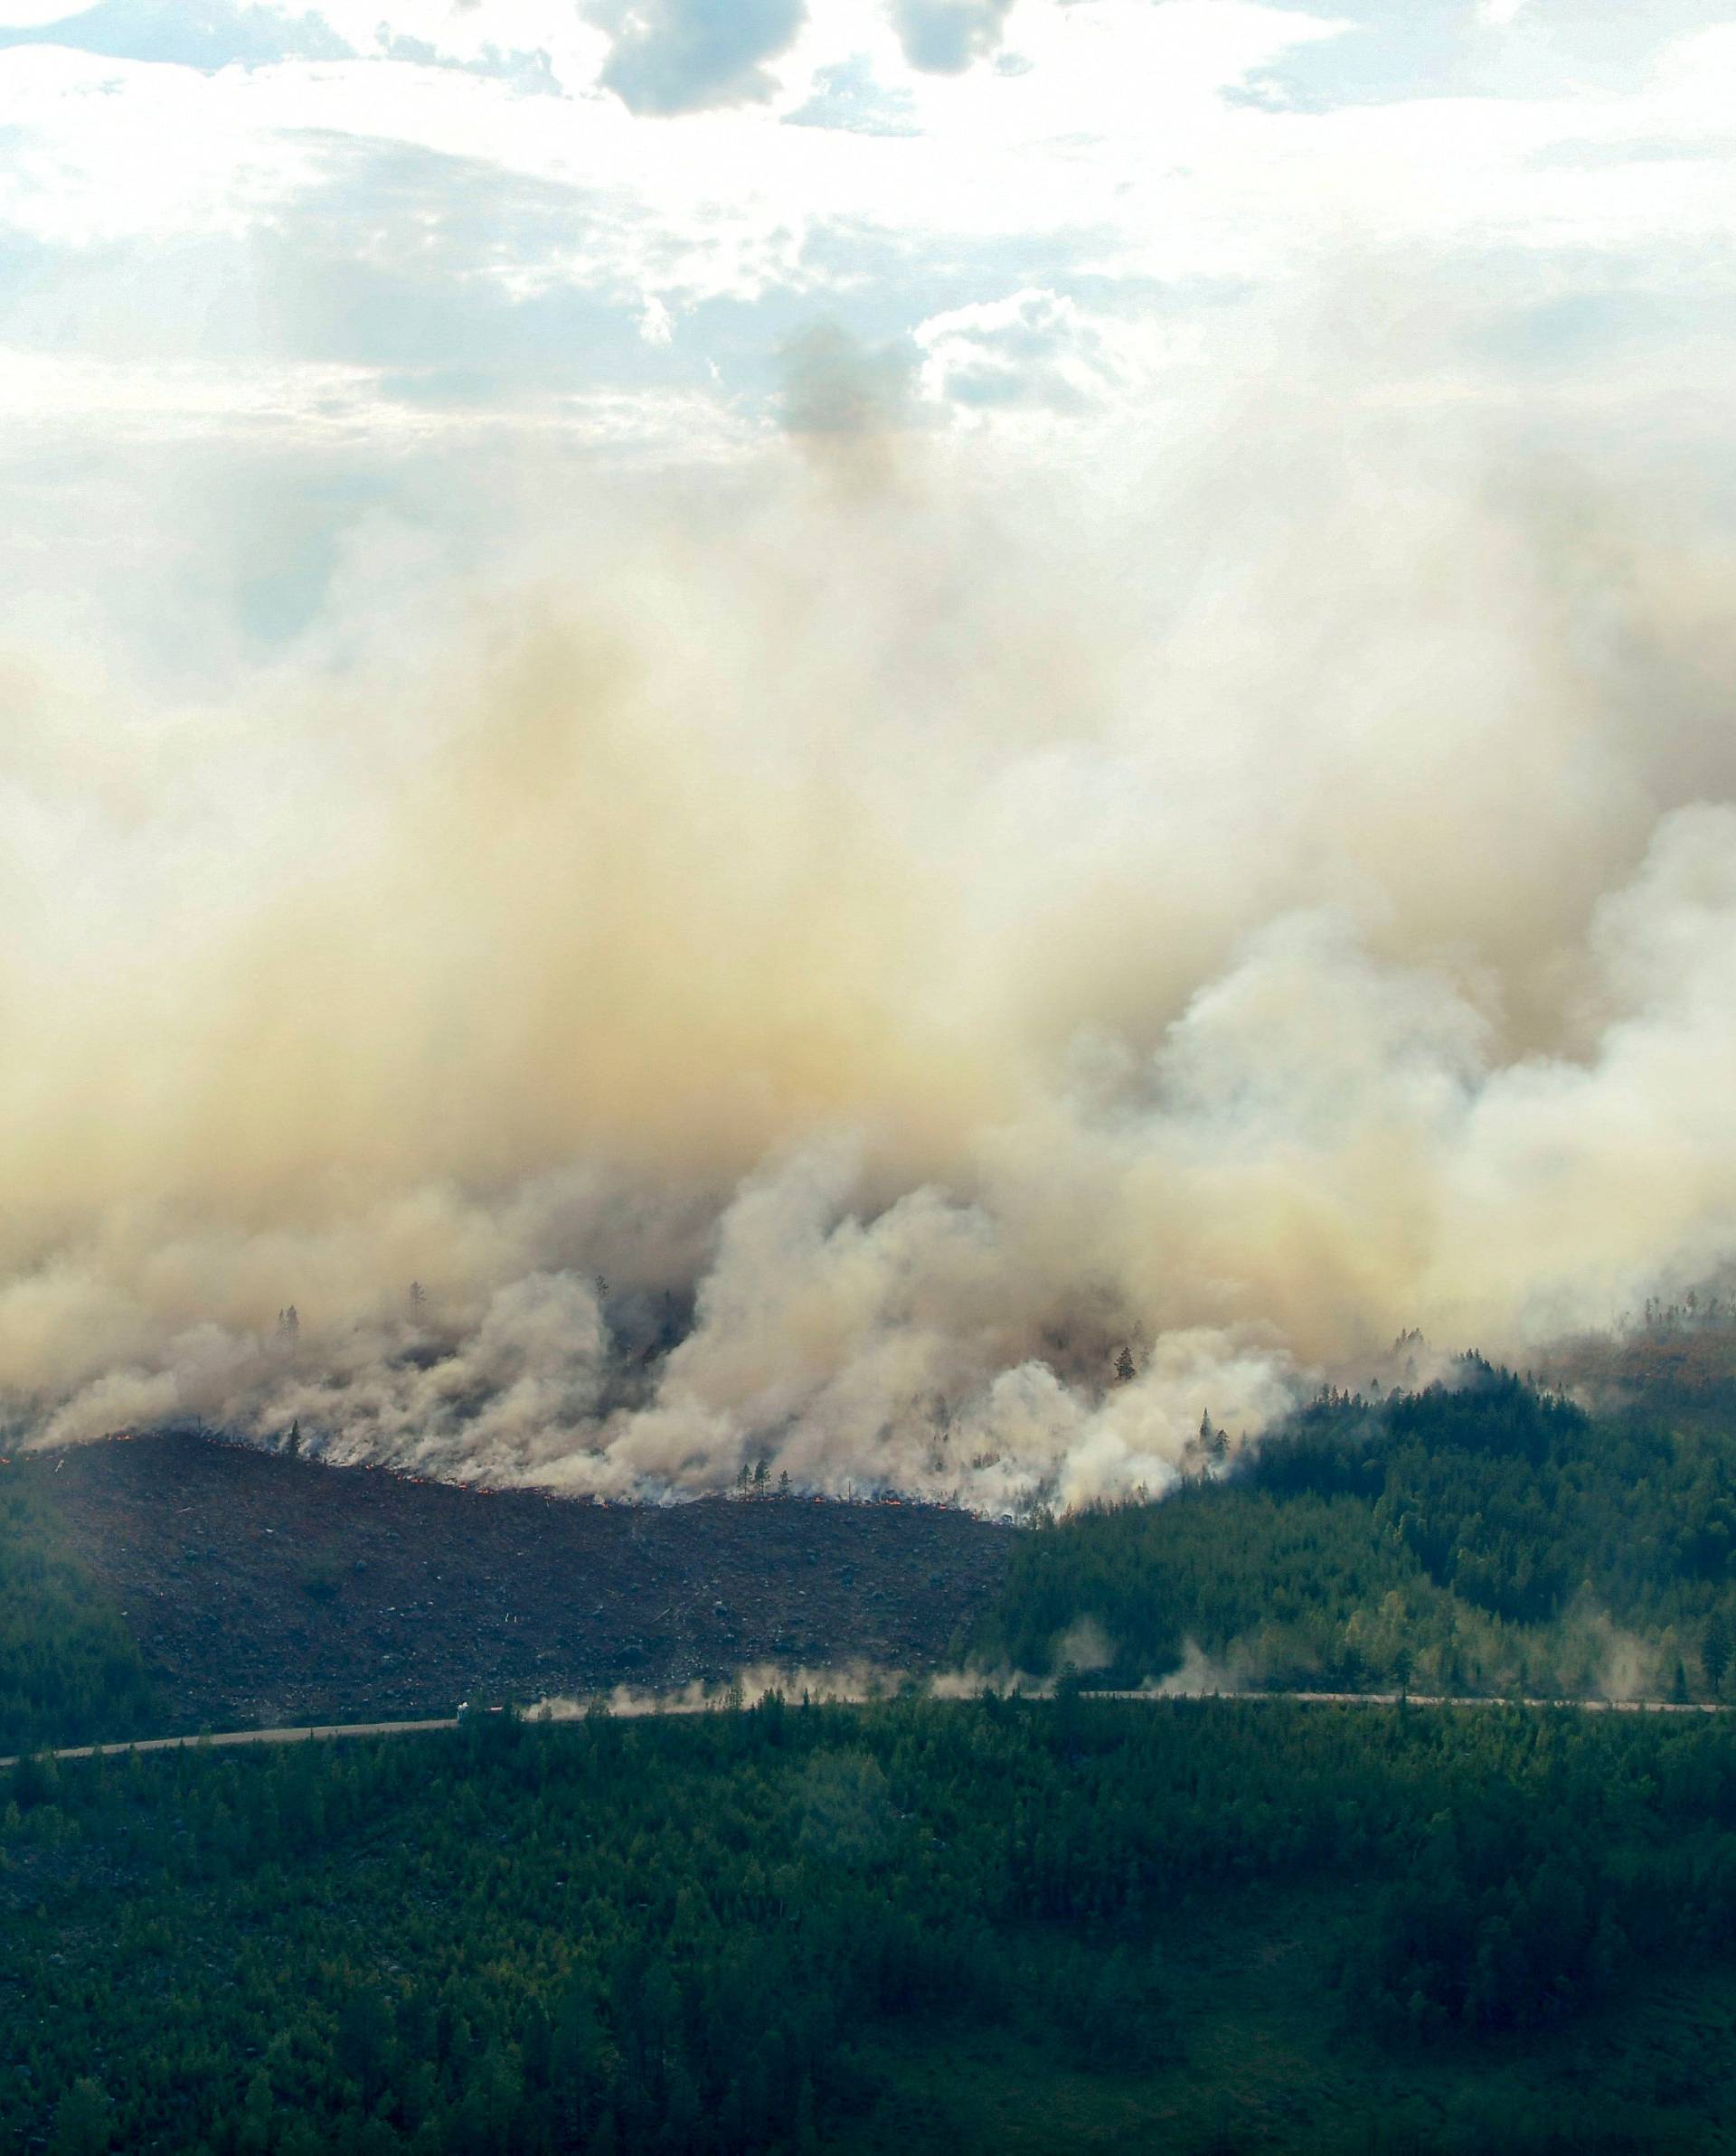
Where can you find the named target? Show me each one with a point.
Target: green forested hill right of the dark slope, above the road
(1480, 1536)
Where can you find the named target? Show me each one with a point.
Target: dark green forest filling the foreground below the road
(752, 1931)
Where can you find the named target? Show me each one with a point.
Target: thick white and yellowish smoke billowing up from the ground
(816, 980)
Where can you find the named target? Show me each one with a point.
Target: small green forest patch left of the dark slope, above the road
(68, 1666)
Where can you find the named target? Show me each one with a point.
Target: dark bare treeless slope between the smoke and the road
(277, 1590)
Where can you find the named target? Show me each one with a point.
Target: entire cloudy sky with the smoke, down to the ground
(831, 706)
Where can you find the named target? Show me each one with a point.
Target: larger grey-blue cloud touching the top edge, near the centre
(689, 55)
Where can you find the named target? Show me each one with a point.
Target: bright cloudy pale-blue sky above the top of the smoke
(387, 236)
